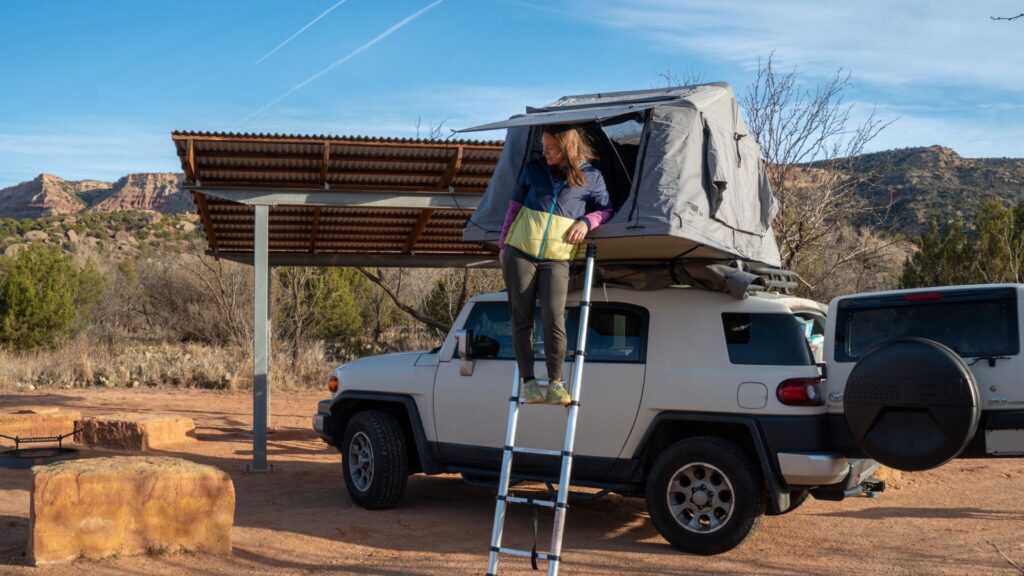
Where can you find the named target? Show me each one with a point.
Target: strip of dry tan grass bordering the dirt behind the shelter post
(86, 363)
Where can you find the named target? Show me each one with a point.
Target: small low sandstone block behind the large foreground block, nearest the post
(137, 433)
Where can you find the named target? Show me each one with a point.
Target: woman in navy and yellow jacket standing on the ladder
(558, 201)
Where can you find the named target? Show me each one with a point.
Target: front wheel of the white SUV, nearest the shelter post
(375, 460)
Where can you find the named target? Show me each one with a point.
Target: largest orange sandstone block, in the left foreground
(126, 506)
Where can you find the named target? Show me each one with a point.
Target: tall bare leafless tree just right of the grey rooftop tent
(812, 154)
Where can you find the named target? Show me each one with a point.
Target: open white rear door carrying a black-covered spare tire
(918, 378)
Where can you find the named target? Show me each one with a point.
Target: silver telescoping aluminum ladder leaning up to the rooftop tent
(553, 557)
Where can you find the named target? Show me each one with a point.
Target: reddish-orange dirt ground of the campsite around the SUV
(965, 518)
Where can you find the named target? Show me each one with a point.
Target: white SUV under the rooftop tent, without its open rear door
(711, 407)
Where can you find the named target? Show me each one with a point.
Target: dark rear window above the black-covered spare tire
(974, 324)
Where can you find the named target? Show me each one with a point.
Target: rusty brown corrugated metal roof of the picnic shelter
(307, 166)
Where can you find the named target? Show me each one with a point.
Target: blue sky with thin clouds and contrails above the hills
(93, 89)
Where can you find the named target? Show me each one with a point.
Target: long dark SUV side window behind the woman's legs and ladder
(616, 334)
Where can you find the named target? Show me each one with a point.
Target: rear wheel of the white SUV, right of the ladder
(727, 500)
